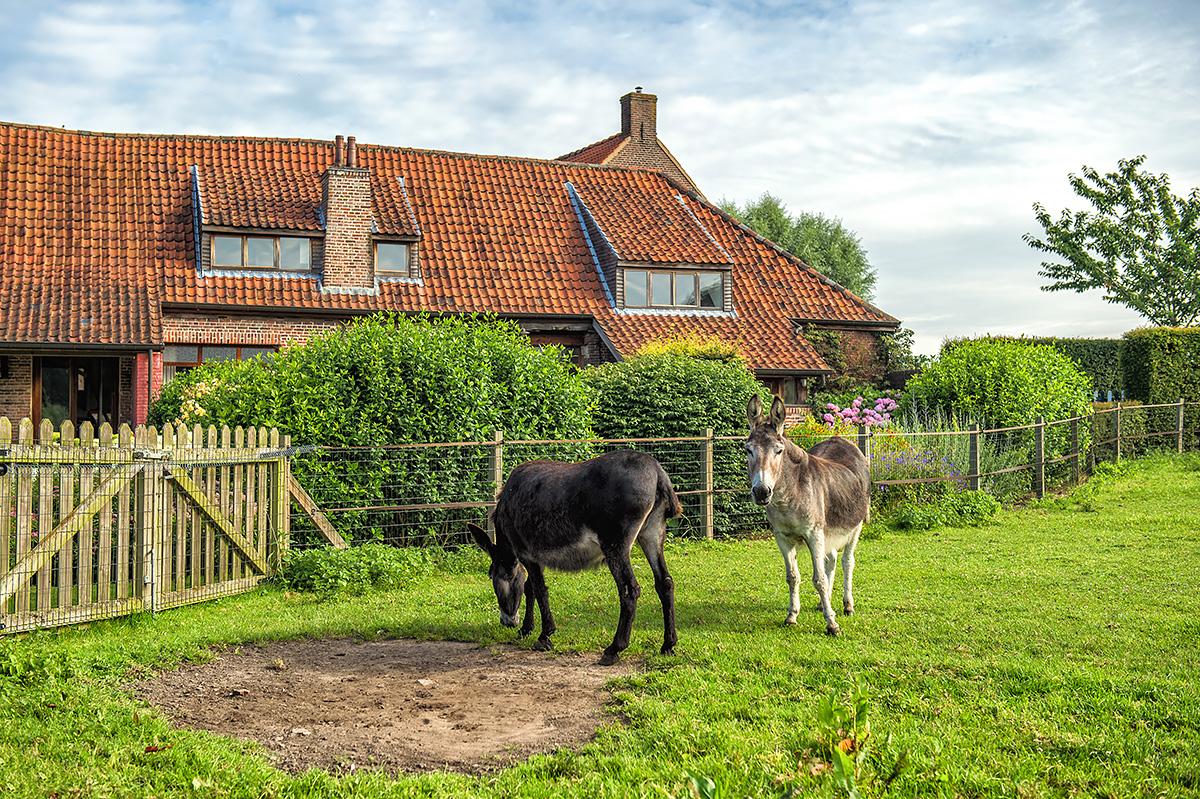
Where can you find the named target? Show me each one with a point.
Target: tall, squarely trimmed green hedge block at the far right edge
(1162, 365)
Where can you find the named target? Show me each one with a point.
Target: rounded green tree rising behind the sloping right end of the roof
(820, 242)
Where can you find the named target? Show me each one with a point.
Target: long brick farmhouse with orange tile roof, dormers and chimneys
(125, 259)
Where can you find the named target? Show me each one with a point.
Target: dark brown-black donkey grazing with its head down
(575, 516)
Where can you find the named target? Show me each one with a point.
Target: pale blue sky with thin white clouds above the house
(929, 128)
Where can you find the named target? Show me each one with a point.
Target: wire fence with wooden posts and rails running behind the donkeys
(433, 490)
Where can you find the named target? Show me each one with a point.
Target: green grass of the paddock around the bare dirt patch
(1054, 653)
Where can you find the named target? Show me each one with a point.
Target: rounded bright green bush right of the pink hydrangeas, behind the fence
(1005, 383)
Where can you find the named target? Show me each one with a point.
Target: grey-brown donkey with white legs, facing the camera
(820, 498)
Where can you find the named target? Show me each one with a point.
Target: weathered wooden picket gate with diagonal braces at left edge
(100, 525)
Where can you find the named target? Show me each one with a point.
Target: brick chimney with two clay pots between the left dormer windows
(346, 206)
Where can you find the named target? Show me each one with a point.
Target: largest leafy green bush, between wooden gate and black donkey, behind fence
(386, 381)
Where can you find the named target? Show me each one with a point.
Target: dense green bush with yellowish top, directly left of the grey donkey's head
(679, 388)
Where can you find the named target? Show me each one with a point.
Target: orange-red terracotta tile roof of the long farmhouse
(98, 241)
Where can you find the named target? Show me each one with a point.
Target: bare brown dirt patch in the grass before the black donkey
(398, 706)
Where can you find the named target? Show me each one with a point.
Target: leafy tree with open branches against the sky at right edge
(1141, 245)
